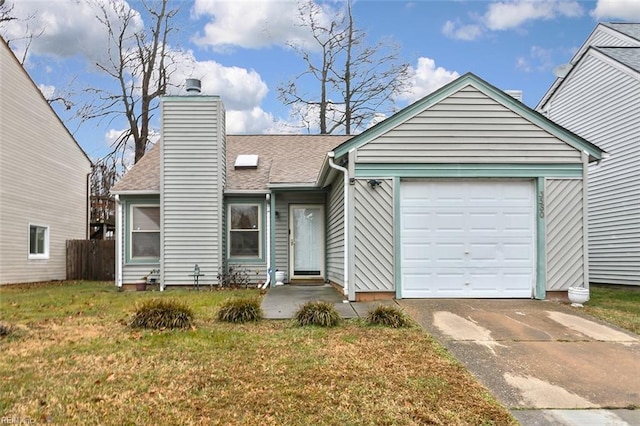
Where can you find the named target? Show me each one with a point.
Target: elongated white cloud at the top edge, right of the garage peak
(510, 15)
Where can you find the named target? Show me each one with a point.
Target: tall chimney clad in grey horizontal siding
(192, 180)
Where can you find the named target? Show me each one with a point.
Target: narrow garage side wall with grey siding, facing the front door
(335, 232)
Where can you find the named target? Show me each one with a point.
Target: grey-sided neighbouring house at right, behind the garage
(597, 96)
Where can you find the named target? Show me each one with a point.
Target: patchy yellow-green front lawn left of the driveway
(73, 360)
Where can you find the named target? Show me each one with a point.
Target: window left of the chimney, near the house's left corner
(145, 232)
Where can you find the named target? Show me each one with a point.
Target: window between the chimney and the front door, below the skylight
(245, 231)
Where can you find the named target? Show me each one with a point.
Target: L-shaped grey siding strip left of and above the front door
(283, 200)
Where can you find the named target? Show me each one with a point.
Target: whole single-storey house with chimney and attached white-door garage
(465, 193)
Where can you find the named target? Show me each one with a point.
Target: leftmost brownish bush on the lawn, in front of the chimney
(159, 314)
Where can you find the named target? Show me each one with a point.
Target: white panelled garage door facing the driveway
(467, 239)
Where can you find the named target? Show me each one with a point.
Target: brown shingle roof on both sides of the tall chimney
(284, 160)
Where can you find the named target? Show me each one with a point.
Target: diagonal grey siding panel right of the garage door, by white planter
(564, 234)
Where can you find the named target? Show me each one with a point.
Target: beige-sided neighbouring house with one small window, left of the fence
(43, 181)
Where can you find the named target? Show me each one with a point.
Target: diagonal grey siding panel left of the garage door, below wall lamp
(373, 237)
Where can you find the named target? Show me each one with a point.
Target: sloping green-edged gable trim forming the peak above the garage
(496, 94)
